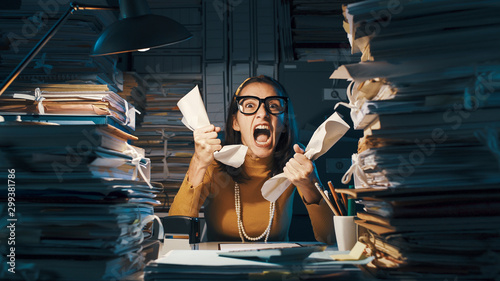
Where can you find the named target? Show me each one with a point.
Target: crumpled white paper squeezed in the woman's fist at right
(325, 136)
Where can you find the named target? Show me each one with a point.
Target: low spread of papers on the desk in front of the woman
(210, 265)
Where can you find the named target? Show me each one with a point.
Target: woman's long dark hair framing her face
(284, 147)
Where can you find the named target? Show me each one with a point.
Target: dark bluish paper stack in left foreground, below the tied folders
(79, 205)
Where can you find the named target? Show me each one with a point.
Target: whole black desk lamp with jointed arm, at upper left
(136, 30)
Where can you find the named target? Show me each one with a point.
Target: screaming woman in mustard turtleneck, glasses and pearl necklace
(260, 117)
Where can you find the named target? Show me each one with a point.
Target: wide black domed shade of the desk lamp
(140, 32)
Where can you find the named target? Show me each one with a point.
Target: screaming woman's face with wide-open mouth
(261, 130)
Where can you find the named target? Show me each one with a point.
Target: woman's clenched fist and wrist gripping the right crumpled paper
(302, 173)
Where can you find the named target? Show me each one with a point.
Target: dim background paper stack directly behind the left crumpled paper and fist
(168, 143)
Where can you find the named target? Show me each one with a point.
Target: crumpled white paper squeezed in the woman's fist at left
(195, 116)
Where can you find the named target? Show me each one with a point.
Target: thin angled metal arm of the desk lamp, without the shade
(32, 54)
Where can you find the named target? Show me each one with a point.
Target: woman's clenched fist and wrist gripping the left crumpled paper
(205, 144)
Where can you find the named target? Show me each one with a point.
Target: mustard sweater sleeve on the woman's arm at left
(189, 198)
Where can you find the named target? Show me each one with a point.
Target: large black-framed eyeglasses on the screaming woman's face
(248, 105)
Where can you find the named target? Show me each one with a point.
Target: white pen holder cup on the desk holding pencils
(346, 232)
